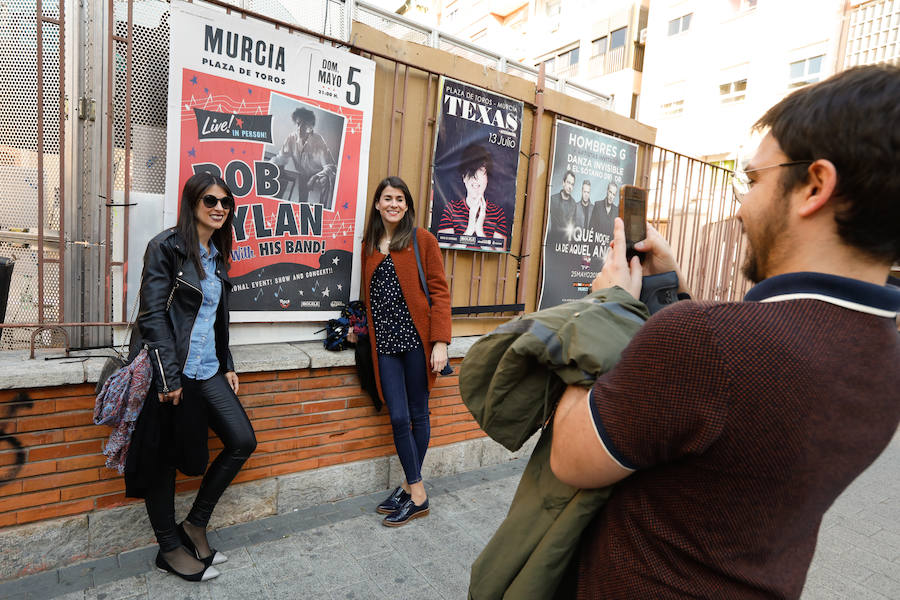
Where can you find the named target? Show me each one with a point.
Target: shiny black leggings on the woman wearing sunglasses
(228, 419)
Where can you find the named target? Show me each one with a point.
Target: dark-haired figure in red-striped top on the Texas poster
(475, 215)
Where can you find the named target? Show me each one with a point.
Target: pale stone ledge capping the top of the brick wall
(17, 371)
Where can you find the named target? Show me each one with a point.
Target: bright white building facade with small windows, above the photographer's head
(713, 68)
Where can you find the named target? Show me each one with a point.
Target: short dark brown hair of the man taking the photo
(853, 120)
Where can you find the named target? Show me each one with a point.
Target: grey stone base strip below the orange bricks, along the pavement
(55, 543)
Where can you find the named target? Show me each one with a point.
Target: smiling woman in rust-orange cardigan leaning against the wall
(409, 338)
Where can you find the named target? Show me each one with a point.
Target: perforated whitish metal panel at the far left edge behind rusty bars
(21, 173)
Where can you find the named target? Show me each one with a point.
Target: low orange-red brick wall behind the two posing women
(50, 452)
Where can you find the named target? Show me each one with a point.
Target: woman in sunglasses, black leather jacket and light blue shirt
(183, 324)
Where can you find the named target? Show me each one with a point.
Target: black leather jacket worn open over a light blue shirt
(170, 300)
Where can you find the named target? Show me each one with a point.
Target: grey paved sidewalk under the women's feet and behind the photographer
(340, 550)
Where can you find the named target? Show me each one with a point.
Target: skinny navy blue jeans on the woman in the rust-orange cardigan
(404, 383)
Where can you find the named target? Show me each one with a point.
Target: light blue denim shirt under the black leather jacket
(202, 362)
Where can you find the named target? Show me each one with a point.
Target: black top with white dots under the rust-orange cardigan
(394, 329)
